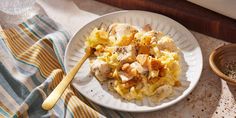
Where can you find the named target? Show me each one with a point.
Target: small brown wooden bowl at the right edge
(220, 57)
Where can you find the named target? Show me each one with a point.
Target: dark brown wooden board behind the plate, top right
(188, 14)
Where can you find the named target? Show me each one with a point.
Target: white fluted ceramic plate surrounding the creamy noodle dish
(87, 85)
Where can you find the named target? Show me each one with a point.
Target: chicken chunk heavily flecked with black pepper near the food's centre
(125, 53)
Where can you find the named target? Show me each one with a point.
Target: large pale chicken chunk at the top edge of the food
(121, 34)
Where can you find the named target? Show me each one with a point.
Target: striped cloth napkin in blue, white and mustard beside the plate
(31, 66)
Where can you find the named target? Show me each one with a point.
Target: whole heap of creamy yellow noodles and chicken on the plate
(135, 62)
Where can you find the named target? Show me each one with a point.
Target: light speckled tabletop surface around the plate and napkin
(212, 97)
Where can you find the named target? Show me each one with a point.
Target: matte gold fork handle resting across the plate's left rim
(52, 99)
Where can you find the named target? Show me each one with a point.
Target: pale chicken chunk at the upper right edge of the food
(166, 43)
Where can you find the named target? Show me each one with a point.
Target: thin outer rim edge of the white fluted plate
(143, 110)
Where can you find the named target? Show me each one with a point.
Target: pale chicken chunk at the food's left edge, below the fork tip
(100, 69)
